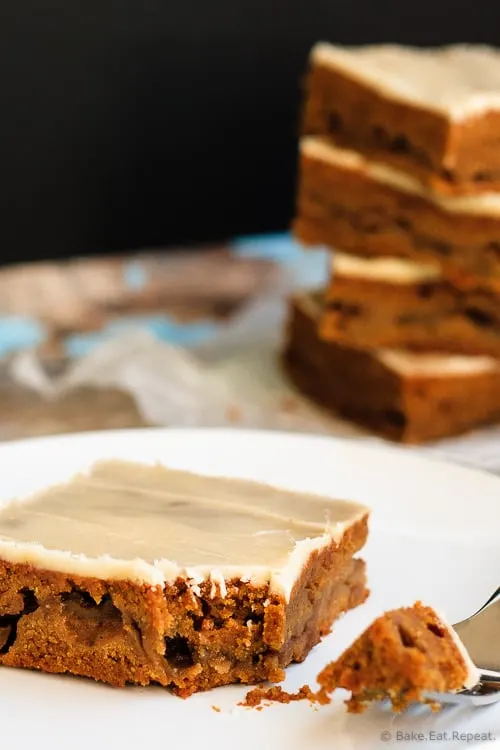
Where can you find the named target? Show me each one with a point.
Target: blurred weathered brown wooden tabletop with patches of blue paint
(64, 310)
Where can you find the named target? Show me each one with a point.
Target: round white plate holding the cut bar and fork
(434, 536)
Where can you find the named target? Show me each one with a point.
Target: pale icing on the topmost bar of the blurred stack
(459, 81)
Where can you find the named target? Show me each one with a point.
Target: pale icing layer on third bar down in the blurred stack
(390, 270)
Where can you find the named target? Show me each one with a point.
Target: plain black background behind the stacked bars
(154, 122)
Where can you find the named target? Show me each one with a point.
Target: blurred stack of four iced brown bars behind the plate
(400, 177)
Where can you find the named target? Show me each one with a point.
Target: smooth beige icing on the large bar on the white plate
(151, 524)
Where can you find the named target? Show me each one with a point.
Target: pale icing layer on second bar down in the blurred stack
(481, 204)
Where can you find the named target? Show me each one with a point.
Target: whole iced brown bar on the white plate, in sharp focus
(131, 573)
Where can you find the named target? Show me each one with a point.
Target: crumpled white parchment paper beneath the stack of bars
(234, 380)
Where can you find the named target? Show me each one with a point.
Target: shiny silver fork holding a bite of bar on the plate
(480, 634)
